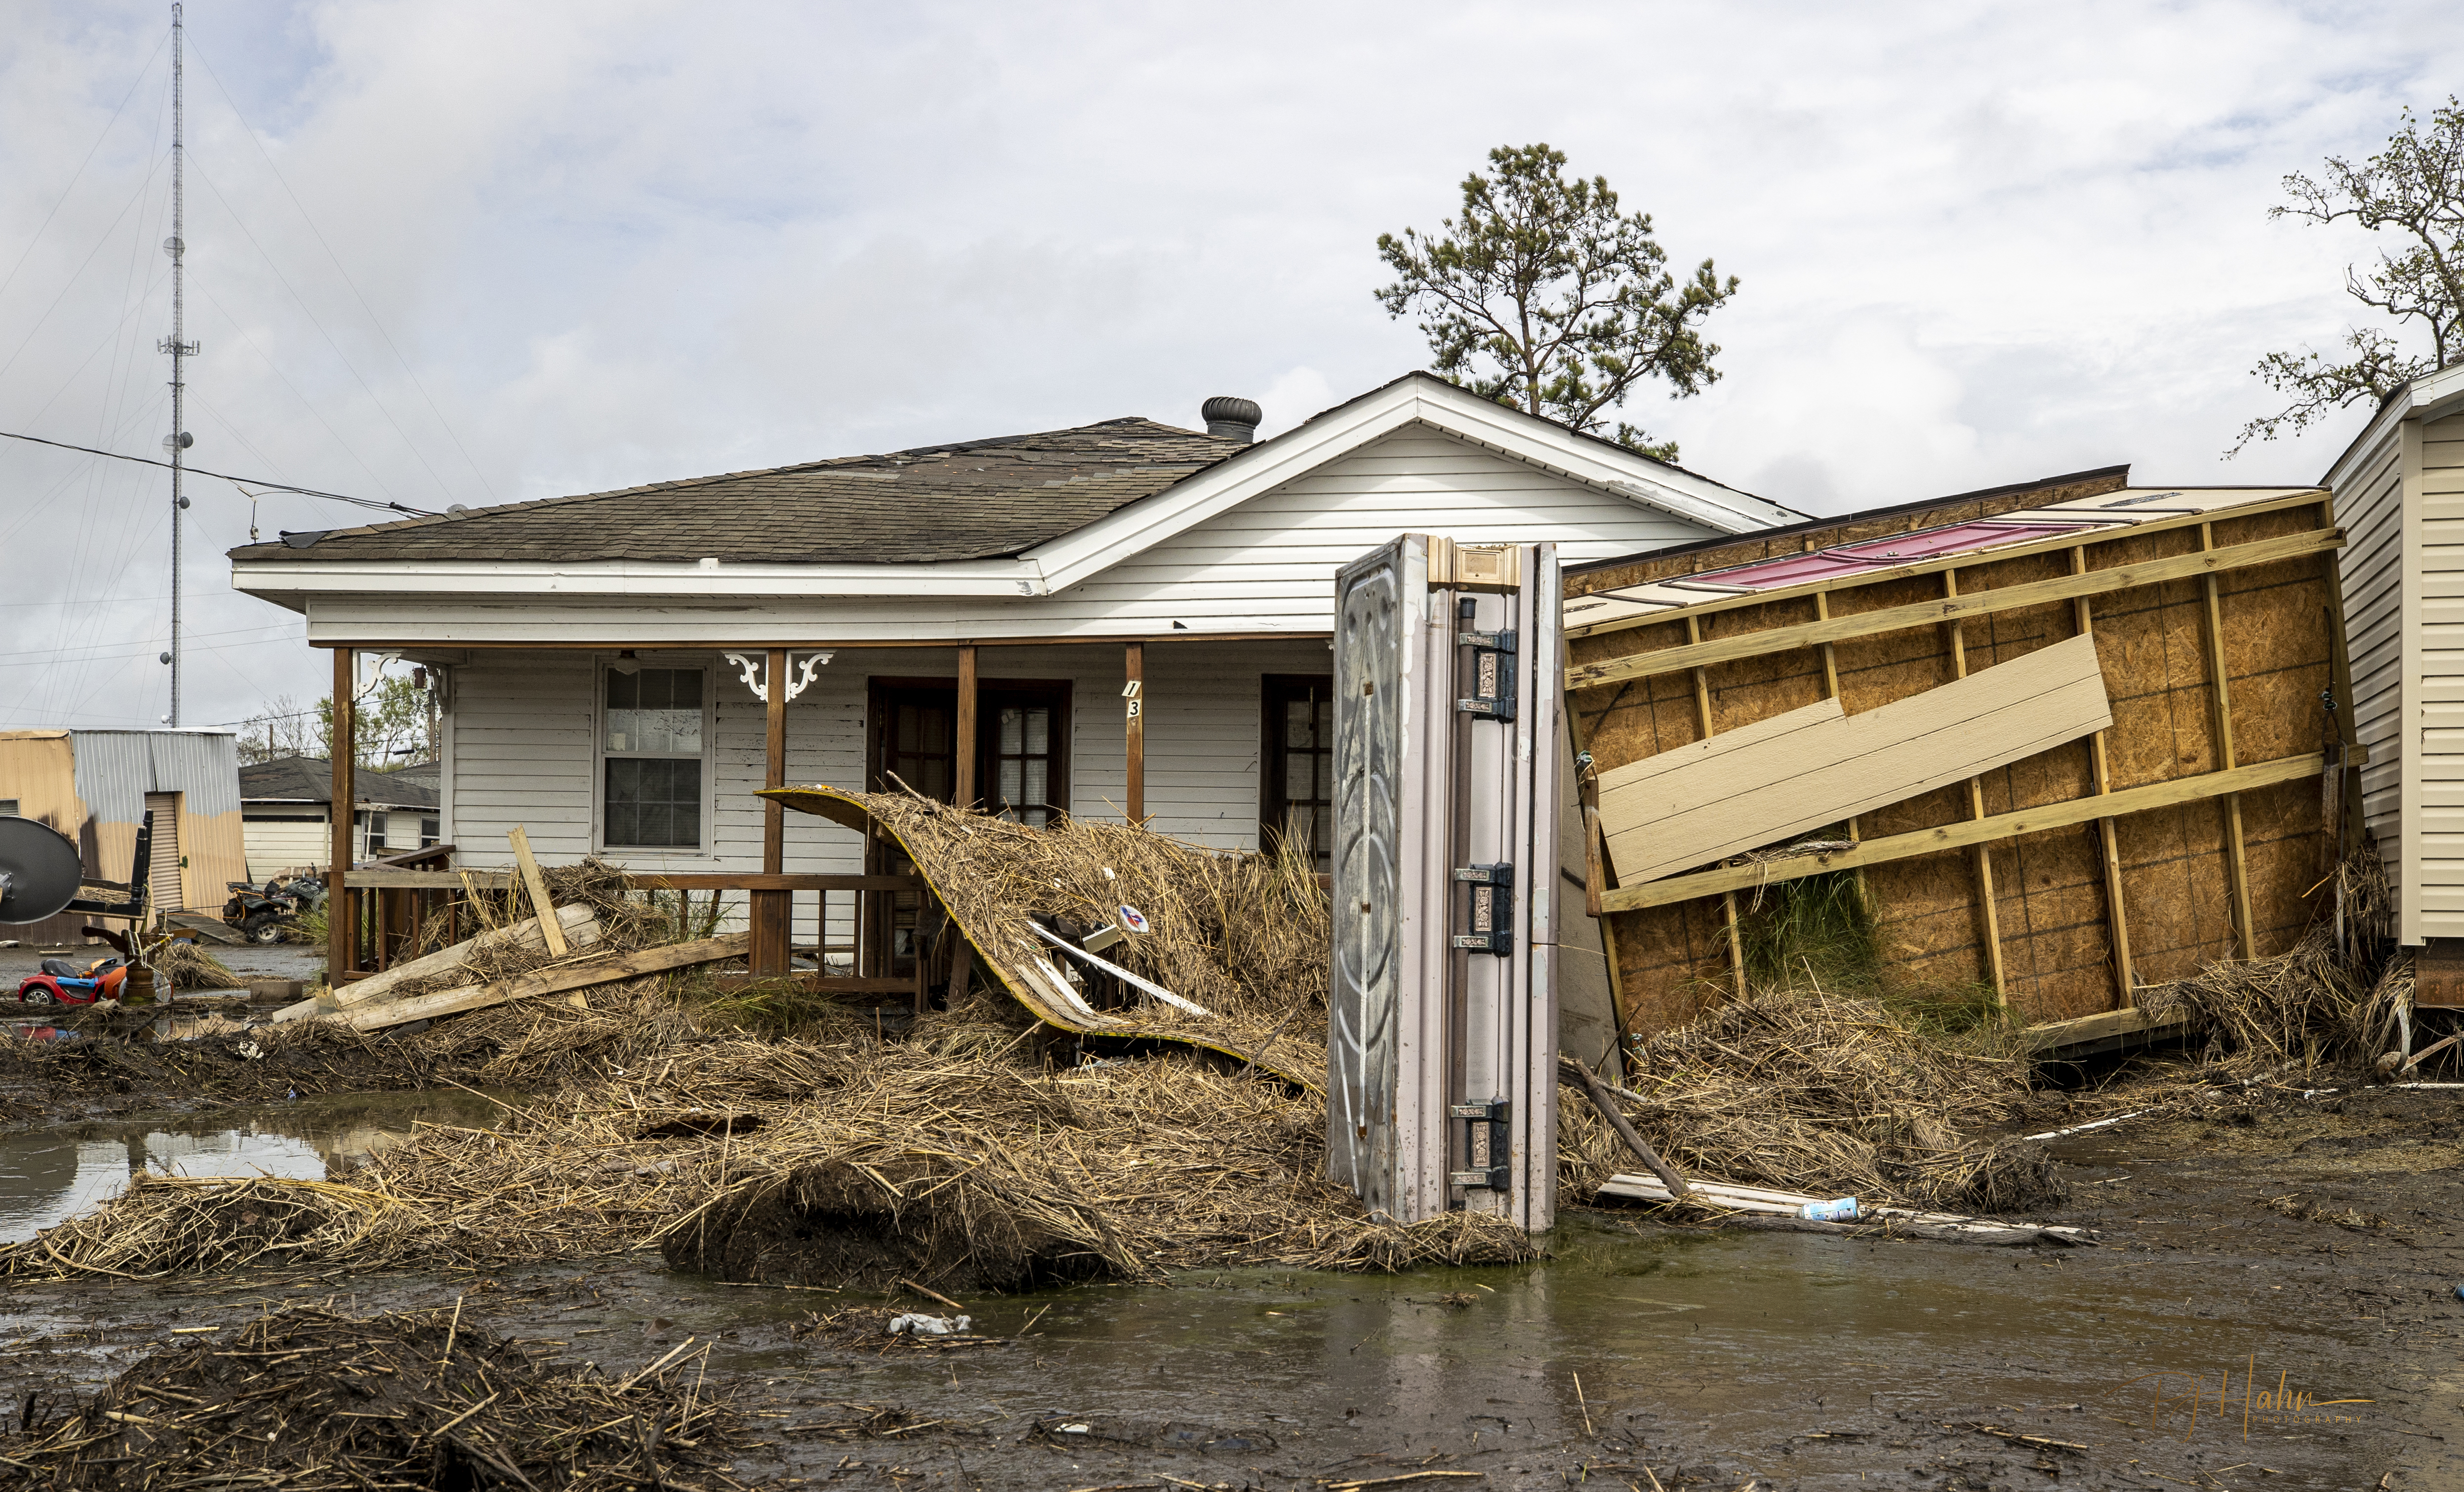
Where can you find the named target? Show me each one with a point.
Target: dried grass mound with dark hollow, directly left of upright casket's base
(982, 1178)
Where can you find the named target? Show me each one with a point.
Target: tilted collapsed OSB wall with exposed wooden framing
(2187, 831)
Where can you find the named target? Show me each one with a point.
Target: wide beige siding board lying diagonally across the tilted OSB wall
(1815, 767)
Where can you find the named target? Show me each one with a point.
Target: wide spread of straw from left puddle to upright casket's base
(955, 1161)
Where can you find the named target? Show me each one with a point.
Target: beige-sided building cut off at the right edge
(2401, 501)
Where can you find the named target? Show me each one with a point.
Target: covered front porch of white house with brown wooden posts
(652, 760)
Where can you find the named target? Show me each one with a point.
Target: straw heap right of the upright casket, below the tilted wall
(1822, 1094)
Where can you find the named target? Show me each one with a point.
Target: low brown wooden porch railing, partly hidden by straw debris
(398, 900)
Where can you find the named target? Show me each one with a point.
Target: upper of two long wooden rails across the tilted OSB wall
(1926, 614)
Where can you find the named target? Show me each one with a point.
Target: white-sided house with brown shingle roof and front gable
(965, 619)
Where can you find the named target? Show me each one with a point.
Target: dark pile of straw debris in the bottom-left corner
(317, 1402)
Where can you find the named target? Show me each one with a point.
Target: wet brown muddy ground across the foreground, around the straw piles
(2258, 1245)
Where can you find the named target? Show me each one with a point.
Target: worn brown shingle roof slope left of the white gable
(938, 503)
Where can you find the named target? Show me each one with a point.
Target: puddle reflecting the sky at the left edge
(51, 1176)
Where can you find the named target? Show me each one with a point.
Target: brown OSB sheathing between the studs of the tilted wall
(2051, 900)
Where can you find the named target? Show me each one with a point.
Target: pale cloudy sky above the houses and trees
(474, 252)
